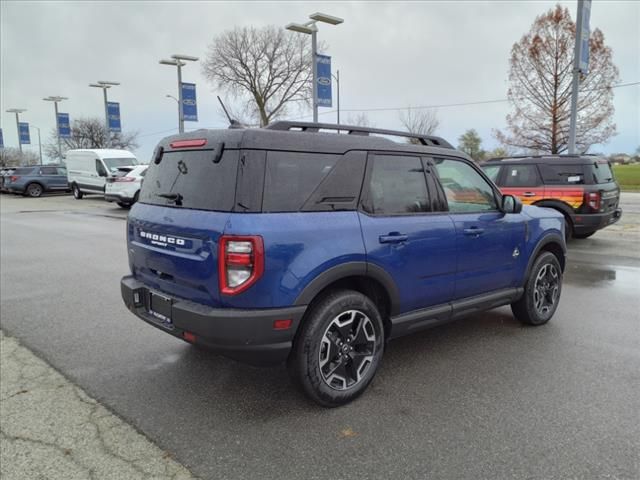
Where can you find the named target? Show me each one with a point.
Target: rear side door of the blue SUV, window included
(404, 235)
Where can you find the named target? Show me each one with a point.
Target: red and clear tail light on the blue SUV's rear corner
(240, 261)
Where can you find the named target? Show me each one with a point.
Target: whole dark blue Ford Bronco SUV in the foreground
(292, 243)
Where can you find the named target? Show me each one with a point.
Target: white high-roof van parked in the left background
(87, 170)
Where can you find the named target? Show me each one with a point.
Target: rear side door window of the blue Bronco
(397, 186)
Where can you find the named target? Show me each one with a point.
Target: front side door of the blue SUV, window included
(486, 239)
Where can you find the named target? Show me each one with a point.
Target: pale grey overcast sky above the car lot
(390, 54)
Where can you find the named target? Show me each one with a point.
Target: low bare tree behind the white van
(90, 133)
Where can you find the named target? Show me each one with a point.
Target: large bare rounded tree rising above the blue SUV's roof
(267, 69)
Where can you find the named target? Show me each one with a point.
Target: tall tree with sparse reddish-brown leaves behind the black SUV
(540, 77)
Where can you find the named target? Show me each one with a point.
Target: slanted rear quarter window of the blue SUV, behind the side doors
(291, 178)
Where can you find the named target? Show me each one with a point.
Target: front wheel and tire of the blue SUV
(541, 291)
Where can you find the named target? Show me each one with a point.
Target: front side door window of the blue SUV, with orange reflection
(465, 188)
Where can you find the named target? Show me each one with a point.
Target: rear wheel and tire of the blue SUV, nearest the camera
(345, 328)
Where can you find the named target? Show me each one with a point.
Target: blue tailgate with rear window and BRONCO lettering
(174, 229)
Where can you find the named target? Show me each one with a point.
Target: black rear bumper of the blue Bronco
(244, 335)
